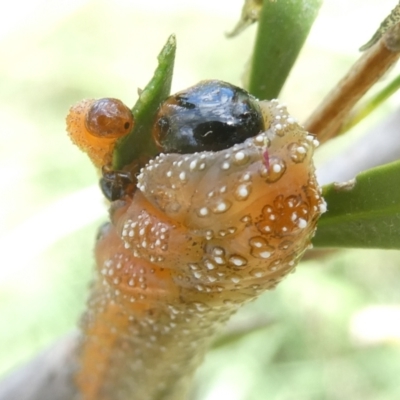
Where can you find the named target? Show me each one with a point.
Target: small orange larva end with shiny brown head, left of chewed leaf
(95, 125)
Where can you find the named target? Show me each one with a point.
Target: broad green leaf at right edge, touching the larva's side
(365, 214)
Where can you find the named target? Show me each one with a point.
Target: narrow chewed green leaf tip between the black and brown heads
(139, 142)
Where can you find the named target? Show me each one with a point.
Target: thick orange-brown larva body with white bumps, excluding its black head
(203, 234)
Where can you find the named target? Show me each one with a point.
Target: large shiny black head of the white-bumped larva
(212, 115)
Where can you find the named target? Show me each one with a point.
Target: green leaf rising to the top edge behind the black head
(283, 27)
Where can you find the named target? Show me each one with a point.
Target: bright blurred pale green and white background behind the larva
(335, 324)
